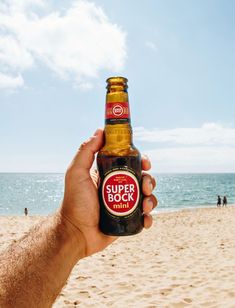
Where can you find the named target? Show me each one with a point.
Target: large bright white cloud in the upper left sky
(76, 43)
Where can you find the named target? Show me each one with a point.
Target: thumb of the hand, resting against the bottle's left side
(86, 153)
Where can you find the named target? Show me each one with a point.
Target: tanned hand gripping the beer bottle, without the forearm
(80, 206)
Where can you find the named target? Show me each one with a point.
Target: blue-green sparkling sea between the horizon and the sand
(42, 193)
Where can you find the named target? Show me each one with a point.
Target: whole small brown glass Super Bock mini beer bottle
(119, 165)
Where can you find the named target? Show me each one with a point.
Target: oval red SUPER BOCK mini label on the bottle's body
(120, 191)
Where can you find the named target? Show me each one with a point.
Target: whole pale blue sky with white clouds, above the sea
(178, 56)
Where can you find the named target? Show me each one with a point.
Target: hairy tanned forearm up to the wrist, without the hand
(34, 269)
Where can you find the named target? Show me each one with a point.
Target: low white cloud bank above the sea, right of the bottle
(209, 148)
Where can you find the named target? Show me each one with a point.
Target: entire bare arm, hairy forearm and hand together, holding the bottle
(34, 269)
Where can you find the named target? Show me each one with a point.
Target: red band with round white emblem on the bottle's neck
(117, 110)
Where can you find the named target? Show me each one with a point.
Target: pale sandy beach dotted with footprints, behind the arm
(185, 260)
